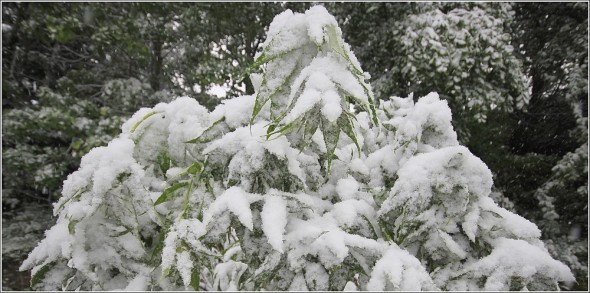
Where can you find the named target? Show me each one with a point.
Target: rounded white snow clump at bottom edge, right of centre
(399, 270)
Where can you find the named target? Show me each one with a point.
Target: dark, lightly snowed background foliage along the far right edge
(554, 47)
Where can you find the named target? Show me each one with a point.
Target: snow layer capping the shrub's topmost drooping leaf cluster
(320, 69)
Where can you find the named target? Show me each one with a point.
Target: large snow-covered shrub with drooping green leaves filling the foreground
(305, 185)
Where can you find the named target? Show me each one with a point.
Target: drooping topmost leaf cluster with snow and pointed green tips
(310, 78)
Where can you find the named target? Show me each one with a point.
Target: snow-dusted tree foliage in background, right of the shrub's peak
(461, 50)
